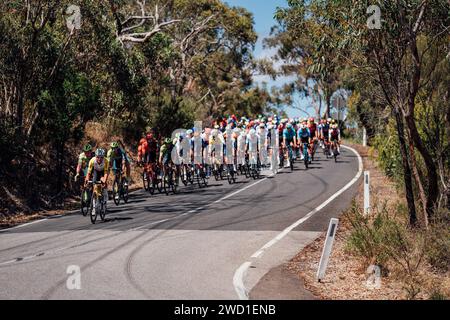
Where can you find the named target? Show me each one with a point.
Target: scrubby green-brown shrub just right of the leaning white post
(383, 239)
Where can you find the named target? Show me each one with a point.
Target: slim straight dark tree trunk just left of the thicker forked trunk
(407, 170)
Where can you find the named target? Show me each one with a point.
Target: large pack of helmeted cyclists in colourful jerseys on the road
(251, 139)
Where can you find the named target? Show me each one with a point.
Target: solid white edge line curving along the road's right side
(238, 279)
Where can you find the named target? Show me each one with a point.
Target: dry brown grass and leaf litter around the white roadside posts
(346, 274)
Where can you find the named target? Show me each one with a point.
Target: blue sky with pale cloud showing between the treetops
(263, 13)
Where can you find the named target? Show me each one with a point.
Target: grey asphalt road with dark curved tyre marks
(185, 246)
